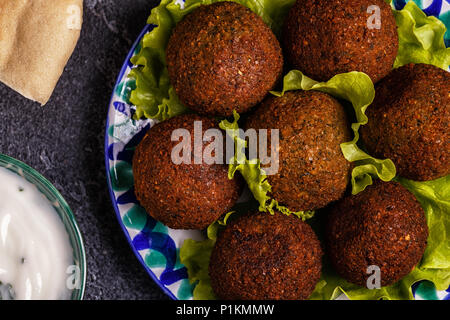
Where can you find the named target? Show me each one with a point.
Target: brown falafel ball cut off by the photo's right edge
(409, 120)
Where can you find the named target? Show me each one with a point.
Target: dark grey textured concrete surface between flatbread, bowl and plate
(64, 141)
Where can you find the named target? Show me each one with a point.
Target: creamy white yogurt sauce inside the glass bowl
(35, 251)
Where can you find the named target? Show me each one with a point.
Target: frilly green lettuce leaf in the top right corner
(421, 38)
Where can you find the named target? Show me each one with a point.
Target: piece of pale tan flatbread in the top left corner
(37, 38)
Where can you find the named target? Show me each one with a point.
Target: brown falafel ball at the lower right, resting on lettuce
(383, 226)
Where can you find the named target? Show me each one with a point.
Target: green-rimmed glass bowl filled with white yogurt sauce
(42, 254)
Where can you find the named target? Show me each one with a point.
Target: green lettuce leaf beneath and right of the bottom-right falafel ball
(434, 197)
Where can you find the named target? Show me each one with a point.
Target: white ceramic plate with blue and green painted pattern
(155, 245)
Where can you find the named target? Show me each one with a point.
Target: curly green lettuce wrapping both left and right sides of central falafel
(355, 87)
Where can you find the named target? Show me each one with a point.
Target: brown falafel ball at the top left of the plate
(223, 57)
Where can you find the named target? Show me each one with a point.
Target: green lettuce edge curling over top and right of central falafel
(357, 88)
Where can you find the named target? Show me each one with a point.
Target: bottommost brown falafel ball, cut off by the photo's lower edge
(265, 257)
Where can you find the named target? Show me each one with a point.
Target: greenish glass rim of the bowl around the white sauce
(65, 209)
